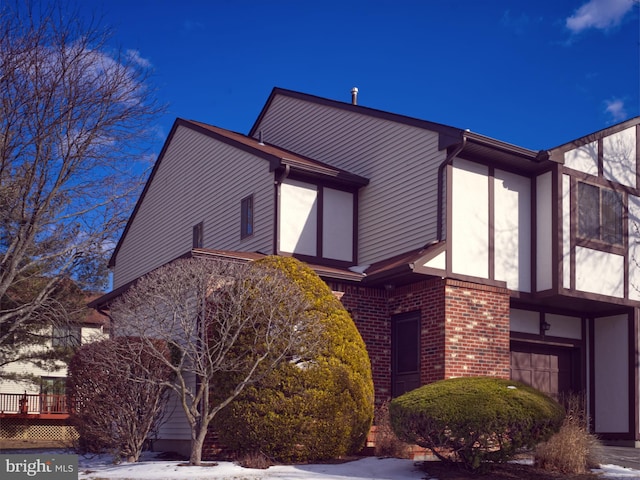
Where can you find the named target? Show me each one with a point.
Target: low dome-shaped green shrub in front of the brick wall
(475, 419)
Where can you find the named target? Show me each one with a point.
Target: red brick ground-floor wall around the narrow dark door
(464, 328)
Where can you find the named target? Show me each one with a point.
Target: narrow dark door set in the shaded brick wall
(405, 352)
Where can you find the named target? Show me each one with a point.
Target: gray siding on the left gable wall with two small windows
(198, 180)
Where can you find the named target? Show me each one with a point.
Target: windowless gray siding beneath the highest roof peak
(398, 209)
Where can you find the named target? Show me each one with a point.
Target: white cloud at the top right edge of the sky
(600, 14)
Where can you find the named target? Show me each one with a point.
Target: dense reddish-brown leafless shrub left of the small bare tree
(117, 391)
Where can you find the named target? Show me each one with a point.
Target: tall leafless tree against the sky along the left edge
(72, 114)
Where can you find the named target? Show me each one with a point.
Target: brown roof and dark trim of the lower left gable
(277, 158)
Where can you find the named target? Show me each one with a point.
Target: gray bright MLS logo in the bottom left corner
(42, 466)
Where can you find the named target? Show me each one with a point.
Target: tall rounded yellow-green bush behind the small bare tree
(317, 409)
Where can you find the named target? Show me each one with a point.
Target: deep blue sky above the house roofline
(536, 73)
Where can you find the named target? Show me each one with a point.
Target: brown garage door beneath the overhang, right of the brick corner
(550, 369)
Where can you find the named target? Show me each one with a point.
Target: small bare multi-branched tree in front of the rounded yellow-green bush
(207, 309)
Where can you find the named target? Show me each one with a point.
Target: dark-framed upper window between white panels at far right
(600, 214)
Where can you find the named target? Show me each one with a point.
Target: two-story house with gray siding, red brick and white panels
(456, 254)
